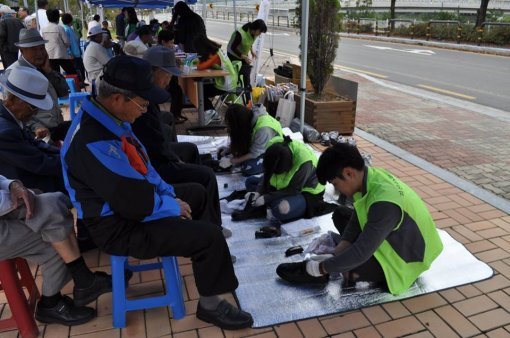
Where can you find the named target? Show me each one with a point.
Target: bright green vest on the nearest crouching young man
(414, 243)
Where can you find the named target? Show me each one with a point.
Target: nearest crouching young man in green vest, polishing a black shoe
(391, 238)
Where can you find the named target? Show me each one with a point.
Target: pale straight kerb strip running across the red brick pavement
(463, 184)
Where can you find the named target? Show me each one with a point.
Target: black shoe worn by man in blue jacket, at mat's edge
(225, 316)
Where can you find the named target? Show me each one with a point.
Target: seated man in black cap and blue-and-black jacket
(127, 207)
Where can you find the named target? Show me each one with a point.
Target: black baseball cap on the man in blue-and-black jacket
(134, 74)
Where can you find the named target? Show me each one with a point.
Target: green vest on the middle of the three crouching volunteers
(300, 155)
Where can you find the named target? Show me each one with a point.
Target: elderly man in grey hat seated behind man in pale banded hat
(49, 121)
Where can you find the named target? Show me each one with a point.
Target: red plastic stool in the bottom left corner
(22, 308)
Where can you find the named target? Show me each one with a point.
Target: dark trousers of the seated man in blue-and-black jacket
(202, 241)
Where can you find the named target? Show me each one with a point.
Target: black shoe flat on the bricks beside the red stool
(65, 313)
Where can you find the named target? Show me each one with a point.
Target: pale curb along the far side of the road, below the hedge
(445, 45)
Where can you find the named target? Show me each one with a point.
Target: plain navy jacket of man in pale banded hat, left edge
(31, 161)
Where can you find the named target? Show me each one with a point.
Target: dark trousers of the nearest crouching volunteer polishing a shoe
(371, 270)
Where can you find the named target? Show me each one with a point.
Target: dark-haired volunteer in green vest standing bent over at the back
(240, 46)
